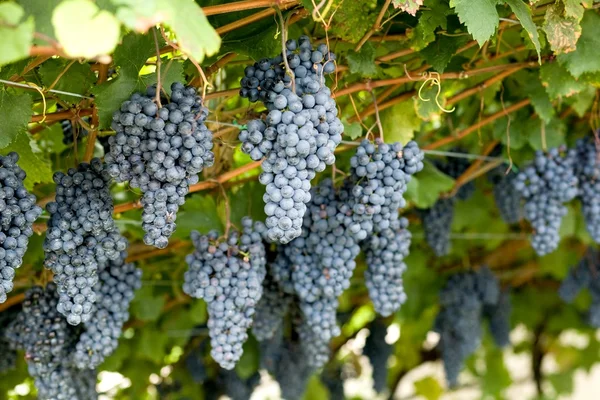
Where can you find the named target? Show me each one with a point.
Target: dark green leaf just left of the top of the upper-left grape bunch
(110, 95)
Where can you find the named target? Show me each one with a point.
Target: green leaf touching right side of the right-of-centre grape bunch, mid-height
(425, 188)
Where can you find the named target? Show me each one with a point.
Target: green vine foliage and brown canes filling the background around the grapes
(472, 73)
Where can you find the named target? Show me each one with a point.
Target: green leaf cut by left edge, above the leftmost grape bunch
(15, 113)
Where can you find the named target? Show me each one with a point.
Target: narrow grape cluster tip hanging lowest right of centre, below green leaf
(385, 253)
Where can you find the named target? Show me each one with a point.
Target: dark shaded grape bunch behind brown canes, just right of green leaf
(437, 220)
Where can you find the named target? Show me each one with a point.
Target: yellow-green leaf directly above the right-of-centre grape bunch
(400, 122)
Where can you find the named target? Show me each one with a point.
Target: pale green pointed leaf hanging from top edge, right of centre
(480, 17)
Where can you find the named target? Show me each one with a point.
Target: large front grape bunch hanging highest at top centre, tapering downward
(299, 135)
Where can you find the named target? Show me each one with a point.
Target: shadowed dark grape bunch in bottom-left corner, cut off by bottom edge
(47, 340)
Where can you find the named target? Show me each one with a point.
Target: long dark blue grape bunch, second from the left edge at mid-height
(81, 237)
